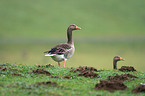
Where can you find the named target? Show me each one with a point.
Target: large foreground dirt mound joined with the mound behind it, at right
(114, 83)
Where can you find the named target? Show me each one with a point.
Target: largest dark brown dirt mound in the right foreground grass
(110, 85)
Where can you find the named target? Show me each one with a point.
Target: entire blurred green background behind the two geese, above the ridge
(109, 28)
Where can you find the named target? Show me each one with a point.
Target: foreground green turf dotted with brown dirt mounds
(82, 86)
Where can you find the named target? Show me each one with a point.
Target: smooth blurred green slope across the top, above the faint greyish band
(44, 19)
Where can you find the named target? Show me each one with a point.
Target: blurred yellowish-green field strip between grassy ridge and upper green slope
(96, 53)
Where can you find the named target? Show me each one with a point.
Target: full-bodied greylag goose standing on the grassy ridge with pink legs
(63, 51)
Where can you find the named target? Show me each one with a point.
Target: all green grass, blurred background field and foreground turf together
(28, 28)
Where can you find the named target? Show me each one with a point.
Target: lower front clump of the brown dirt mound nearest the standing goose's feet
(87, 73)
